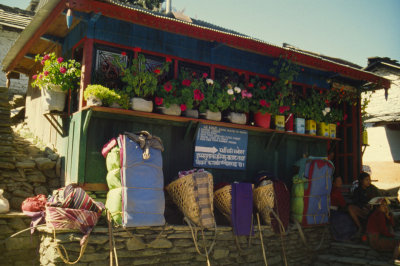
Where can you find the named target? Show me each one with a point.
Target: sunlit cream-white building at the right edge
(383, 125)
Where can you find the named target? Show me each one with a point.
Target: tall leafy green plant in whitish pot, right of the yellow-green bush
(141, 83)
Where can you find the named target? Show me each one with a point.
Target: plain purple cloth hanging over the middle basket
(242, 208)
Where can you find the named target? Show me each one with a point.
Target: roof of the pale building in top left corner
(14, 17)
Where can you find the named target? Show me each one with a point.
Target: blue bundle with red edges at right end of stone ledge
(319, 173)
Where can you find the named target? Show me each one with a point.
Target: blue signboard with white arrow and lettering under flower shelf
(220, 147)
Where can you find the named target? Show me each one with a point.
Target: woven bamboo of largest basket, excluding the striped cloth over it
(183, 195)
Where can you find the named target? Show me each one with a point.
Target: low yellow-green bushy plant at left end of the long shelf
(98, 95)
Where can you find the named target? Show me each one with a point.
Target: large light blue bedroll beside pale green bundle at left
(142, 186)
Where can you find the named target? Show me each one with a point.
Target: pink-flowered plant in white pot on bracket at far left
(56, 78)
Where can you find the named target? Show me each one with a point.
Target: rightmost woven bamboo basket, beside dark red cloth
(263, 198)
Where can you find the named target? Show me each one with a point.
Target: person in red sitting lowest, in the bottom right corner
(380, 230)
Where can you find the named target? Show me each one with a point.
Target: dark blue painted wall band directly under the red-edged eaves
(133, 35)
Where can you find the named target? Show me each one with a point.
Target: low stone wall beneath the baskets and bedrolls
(173, 245)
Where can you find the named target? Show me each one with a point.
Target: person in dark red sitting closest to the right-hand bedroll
(342, 226)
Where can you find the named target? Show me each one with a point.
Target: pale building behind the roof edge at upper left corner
(12, 21)
